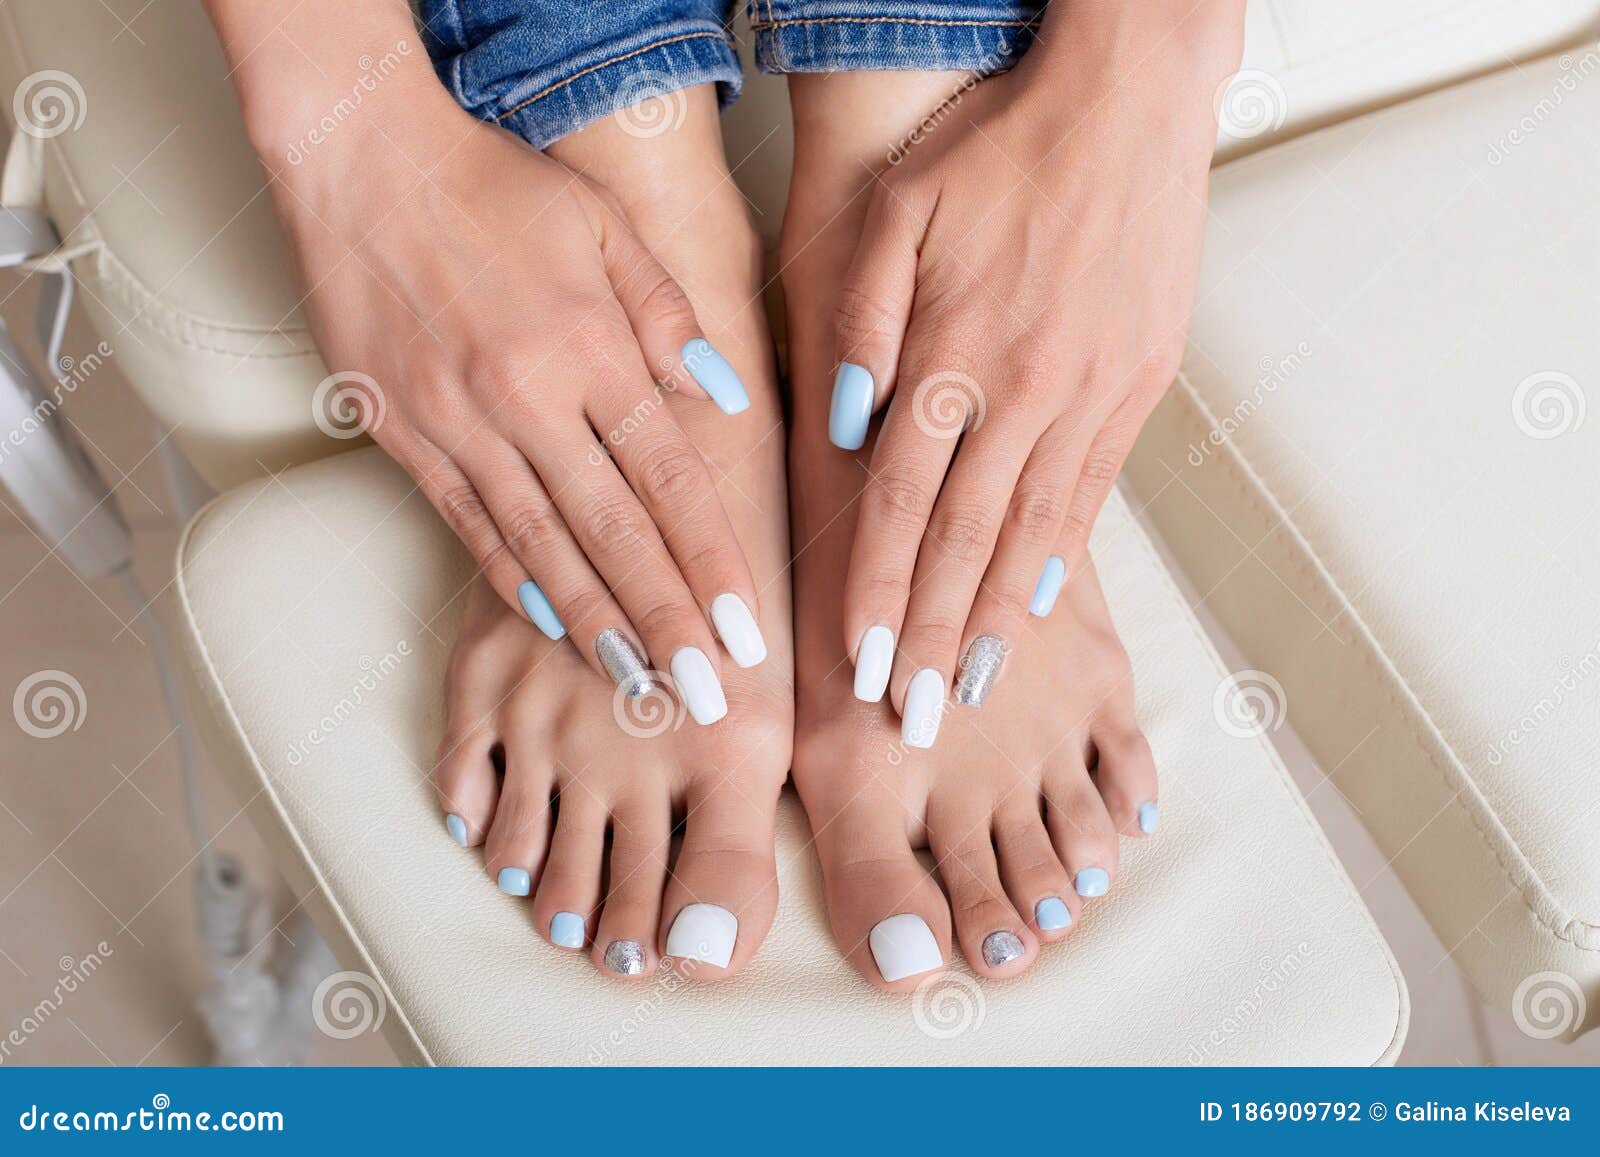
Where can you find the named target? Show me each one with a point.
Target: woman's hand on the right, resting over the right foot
(1022, 292)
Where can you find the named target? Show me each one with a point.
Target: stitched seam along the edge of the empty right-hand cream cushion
(1377, 659)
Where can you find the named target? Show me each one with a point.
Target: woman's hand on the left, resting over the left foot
(519, 348)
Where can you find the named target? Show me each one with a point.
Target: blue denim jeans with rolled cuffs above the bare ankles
(548, 68)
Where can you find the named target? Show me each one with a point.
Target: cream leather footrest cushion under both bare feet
(318, 611)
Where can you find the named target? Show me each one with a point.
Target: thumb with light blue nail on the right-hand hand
(873, 311)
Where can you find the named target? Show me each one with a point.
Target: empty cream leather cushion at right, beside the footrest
(1380, 468)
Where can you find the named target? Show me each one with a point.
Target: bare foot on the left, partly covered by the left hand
(575, 791)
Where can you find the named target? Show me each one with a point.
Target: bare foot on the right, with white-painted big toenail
(1023, 799)
